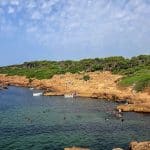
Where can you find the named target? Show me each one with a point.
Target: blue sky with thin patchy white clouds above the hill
(72, 29)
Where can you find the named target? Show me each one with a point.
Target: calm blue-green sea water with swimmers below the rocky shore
(52, 123)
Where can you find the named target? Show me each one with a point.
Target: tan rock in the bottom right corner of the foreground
(140, 145)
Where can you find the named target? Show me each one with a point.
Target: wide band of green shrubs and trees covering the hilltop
(136, 70)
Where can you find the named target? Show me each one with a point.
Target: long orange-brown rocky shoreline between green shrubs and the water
(102, 85)
